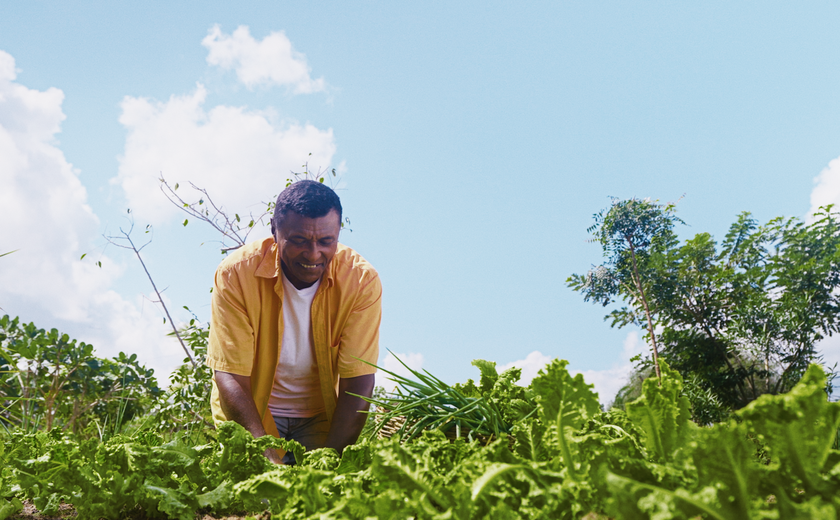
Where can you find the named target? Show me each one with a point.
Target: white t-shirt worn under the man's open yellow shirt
(297, 388)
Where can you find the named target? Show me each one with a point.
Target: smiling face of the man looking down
(306, 246)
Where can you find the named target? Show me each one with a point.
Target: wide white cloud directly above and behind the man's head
(241, 157)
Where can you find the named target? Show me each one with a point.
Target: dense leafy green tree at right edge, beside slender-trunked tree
(743, 318)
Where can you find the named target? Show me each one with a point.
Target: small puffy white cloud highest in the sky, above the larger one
(271, 61)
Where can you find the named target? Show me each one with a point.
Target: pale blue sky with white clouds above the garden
(475, 142)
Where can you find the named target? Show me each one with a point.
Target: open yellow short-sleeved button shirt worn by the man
(246, 329)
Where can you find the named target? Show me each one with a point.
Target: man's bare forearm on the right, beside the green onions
(348, 420)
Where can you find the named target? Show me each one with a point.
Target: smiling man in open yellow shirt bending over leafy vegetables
(293, 316)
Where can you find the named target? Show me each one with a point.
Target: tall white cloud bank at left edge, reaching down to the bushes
(49, 222)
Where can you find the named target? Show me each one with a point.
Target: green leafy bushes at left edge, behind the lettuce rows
(40, 369)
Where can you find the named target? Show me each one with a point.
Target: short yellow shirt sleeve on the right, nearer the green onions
(360, 336)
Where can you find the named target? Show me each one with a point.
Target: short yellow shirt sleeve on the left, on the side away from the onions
(231, 344)
